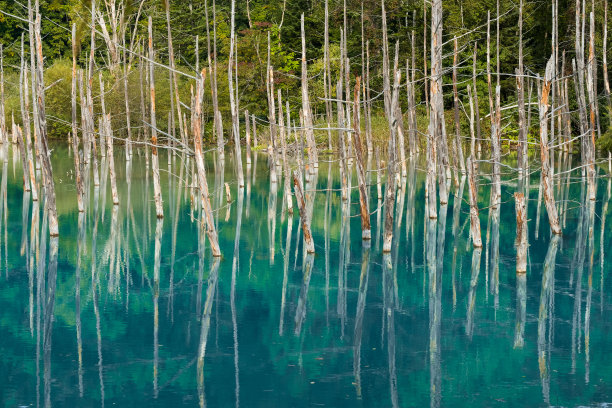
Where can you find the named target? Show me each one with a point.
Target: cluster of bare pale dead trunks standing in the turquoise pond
(287, 141)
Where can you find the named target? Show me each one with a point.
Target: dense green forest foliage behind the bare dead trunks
(256, 18)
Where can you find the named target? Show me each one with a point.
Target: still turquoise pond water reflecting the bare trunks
(433, 323)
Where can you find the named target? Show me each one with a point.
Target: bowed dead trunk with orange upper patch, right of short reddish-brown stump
(549, 198)
